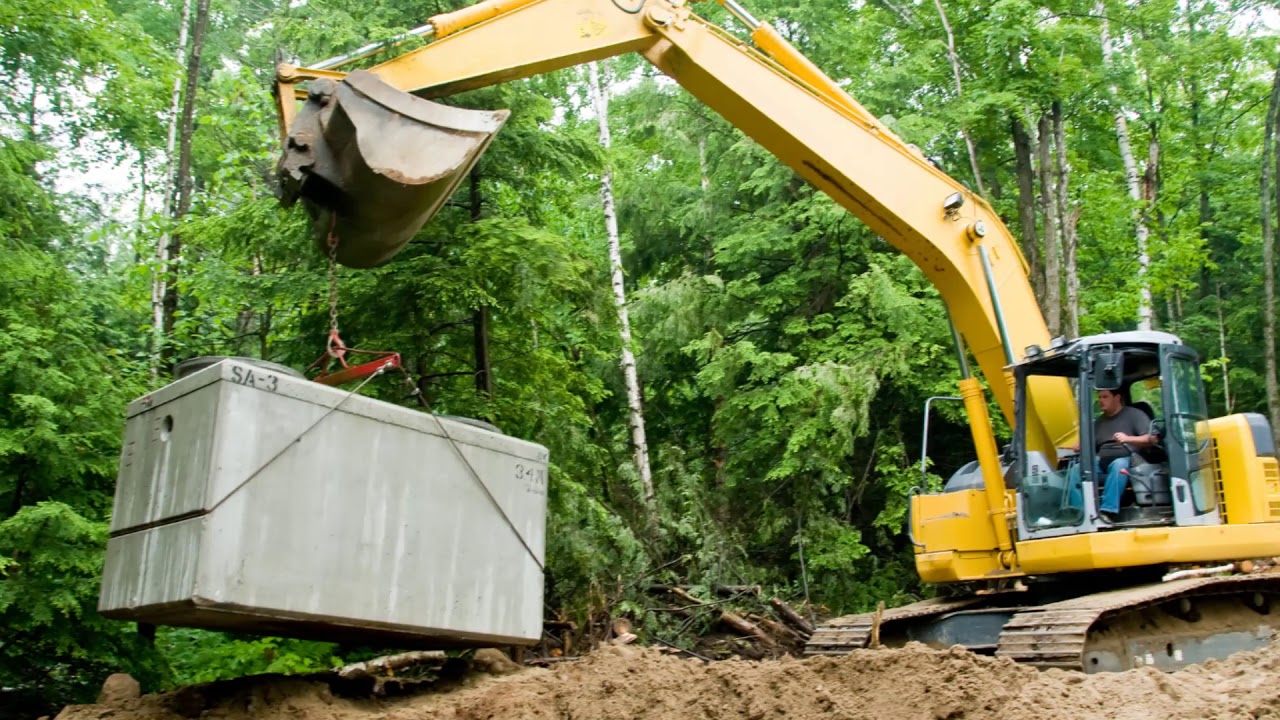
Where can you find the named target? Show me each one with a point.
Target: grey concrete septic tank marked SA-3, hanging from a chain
(252, 500)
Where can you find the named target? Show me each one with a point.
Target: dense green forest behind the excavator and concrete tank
(783, 352)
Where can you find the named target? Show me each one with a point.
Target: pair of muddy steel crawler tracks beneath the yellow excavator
(1164, 626)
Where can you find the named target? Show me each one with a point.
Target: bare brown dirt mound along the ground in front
(636, 683)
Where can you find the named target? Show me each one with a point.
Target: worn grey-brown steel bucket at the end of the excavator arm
(373, 165)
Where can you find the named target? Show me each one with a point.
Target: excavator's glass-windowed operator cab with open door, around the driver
(1167, 484)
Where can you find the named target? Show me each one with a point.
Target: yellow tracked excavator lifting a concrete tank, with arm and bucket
(1028, 567)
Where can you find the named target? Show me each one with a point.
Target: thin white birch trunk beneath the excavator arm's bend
(641, 446)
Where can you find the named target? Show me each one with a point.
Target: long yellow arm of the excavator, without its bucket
(787, 104)
